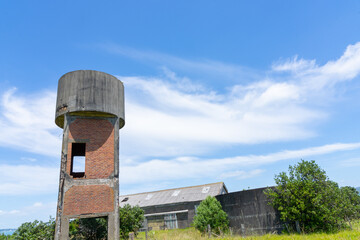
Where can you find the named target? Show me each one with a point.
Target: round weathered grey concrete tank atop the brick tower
(90, 93)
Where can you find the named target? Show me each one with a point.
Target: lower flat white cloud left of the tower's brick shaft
(28, 180)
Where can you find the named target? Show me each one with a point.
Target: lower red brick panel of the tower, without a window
(88, 199)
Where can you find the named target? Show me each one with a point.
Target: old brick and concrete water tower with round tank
(90, 110)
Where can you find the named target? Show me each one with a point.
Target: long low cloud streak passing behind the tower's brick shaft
(39, 179)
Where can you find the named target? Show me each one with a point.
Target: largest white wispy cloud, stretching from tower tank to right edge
(172, 120)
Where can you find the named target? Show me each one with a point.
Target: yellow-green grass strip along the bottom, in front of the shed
(192, 234)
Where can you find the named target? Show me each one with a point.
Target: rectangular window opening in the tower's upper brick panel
(78, 160)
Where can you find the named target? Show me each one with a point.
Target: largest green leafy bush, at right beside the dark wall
(309, 202)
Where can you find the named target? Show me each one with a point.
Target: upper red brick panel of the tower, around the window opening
(99, 137)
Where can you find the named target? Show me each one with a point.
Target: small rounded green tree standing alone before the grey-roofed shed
(209, 212)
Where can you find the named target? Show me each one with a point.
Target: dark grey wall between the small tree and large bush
(249, 212)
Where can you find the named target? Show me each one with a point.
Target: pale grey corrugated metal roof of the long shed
(175, 195)
